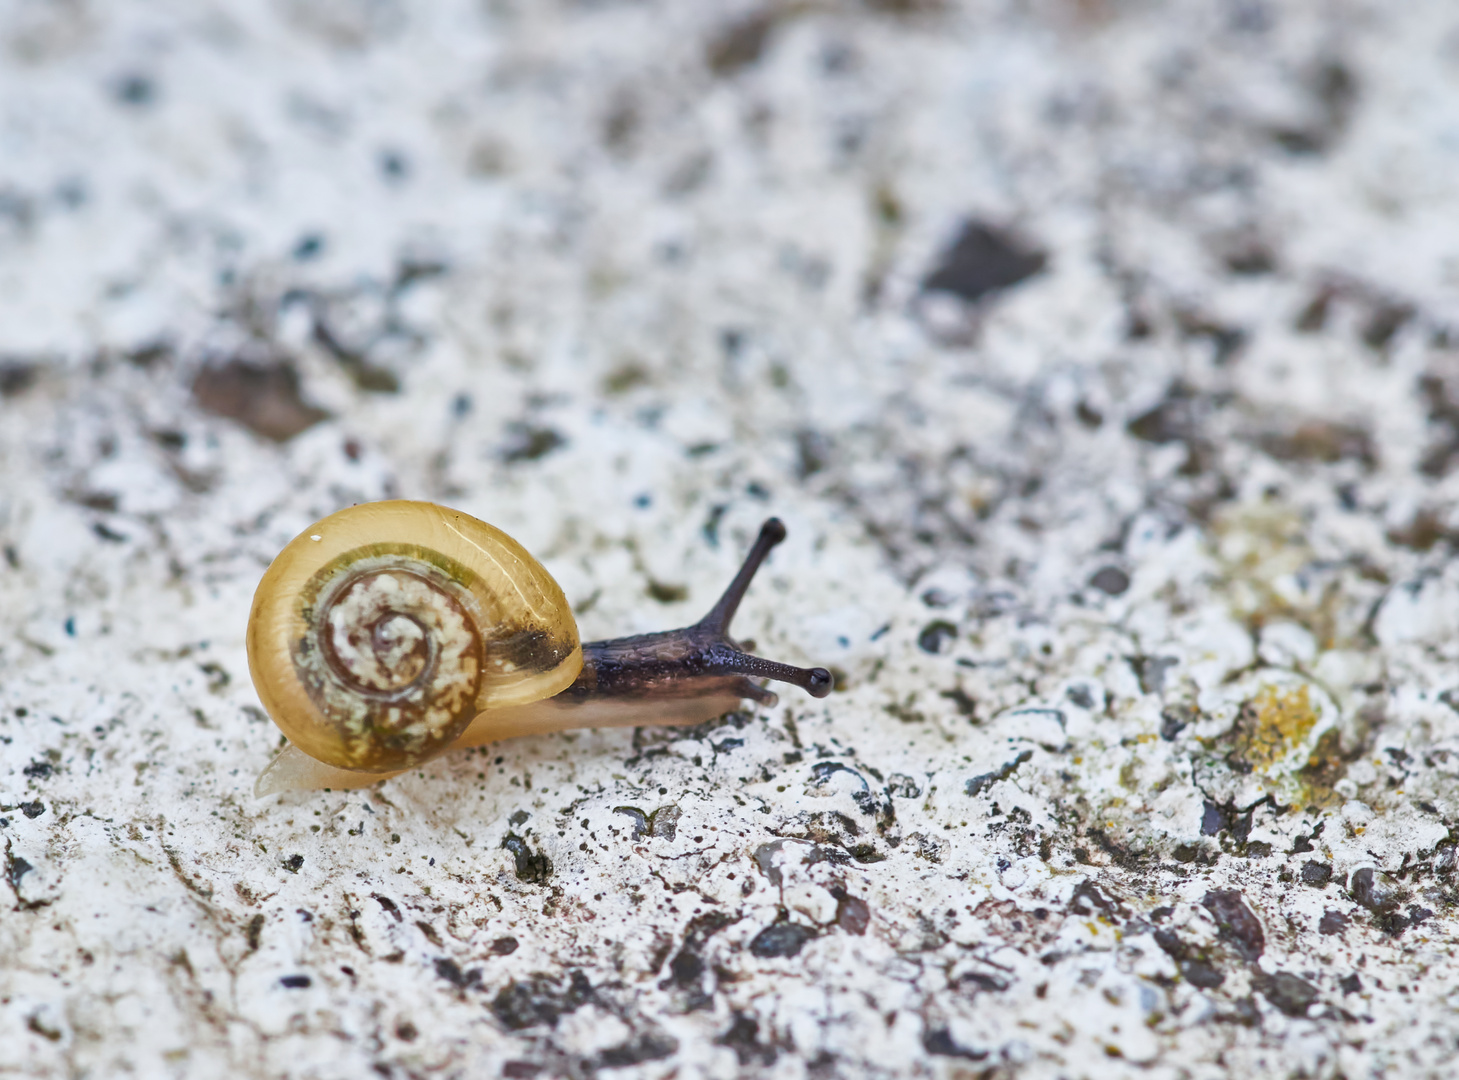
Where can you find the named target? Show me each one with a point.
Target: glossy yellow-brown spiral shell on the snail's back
(383, 631)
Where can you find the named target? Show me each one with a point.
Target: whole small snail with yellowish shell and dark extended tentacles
(390, 633)
